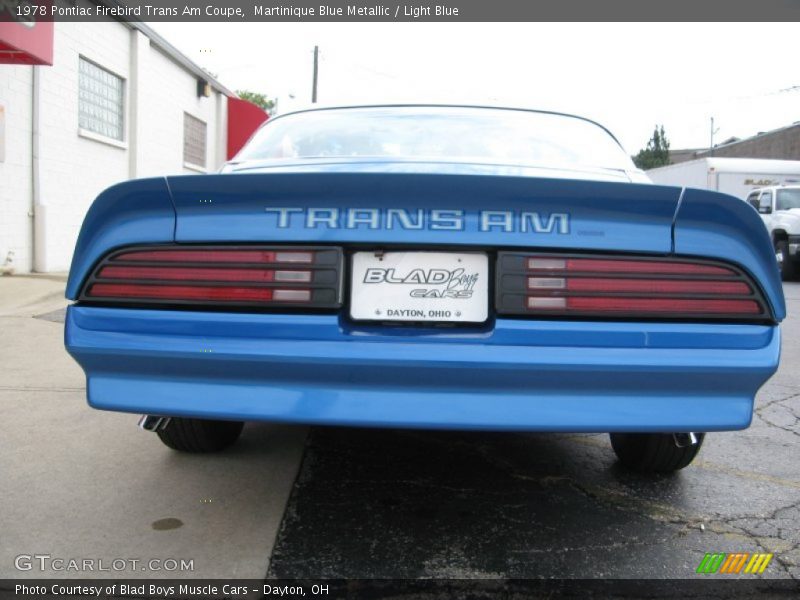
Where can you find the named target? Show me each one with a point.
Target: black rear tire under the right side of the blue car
(653, 452)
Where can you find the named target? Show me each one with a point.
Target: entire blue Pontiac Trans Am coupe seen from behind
(427, 267)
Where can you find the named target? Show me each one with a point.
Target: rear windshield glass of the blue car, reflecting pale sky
(438, 133)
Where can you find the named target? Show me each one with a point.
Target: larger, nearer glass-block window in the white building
(101, 101)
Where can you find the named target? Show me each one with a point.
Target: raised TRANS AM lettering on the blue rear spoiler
(419, 219)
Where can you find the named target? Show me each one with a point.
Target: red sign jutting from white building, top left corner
(25, 41)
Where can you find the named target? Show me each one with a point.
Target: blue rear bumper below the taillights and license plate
(510, 375)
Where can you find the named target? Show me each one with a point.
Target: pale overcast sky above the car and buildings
(628, 77)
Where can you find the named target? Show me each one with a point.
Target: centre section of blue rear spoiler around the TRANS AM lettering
(604, 216)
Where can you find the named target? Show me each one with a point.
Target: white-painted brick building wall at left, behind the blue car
(74, 169)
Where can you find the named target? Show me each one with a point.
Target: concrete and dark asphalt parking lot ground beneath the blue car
(292, 502)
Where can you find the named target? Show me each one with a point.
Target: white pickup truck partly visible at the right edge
(779, 207)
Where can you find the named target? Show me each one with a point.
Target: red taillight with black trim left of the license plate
(219, 276)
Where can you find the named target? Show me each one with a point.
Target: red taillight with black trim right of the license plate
(615, 287)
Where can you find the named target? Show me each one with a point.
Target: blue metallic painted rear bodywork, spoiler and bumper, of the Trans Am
(507, 374)
